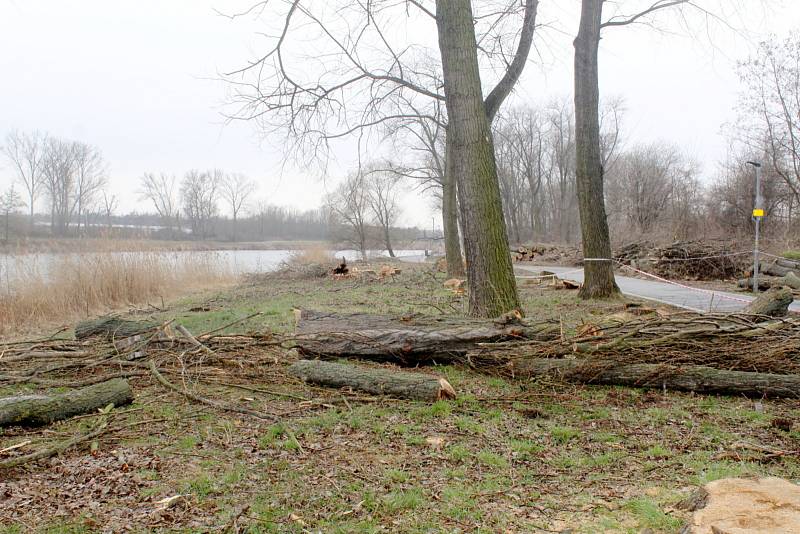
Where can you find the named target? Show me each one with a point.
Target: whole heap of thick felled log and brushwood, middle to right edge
(747, 353)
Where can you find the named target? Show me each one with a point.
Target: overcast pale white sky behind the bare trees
(135, 78)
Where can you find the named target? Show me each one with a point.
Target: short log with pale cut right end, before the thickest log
(376, 381)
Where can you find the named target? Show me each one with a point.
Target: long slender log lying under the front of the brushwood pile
(682, 378)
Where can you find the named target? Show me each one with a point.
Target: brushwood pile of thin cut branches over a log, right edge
(711, 353)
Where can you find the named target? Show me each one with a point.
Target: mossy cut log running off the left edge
(44, 409)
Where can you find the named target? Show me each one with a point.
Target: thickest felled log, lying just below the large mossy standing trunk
(407, 340)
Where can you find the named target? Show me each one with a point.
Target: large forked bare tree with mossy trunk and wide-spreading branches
(358, 77)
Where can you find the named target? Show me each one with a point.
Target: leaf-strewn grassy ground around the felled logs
(506, 456)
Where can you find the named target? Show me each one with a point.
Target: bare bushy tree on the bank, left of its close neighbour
(349, 205)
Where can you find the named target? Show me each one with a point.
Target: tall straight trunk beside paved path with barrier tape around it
(598, 273)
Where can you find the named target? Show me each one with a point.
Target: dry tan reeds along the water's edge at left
(69, 287)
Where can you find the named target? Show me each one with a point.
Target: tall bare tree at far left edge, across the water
(26, 151)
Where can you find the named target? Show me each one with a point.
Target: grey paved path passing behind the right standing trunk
(690, 299)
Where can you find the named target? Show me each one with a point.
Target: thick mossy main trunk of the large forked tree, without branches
(490, 275)
